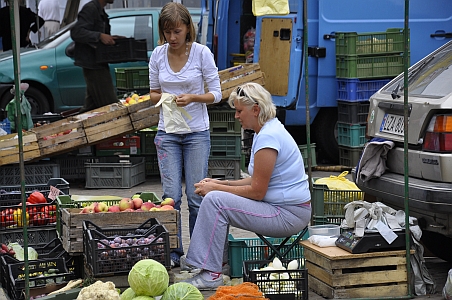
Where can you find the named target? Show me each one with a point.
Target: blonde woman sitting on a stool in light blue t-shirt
(274, 201)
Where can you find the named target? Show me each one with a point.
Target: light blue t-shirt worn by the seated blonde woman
(288, 183)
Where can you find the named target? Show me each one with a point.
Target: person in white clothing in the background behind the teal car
(49, 10)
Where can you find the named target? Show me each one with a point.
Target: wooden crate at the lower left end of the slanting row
(9, 148)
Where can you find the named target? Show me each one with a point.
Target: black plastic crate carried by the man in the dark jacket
(124, 50)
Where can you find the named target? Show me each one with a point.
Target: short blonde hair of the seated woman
(252, 93)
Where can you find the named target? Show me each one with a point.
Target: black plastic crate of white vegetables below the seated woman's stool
(277, 284)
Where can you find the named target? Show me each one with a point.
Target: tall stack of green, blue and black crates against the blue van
(365, 62)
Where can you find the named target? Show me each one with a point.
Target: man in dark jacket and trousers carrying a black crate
(91, 29)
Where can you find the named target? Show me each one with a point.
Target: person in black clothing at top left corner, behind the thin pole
(28, 22)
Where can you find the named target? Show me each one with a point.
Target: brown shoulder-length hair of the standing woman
(172, 15)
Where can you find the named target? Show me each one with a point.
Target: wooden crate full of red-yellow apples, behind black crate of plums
(72, 224)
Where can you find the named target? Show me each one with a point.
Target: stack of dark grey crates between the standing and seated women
(225, 144)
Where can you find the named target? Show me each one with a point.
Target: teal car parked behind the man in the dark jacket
(56, 84)
